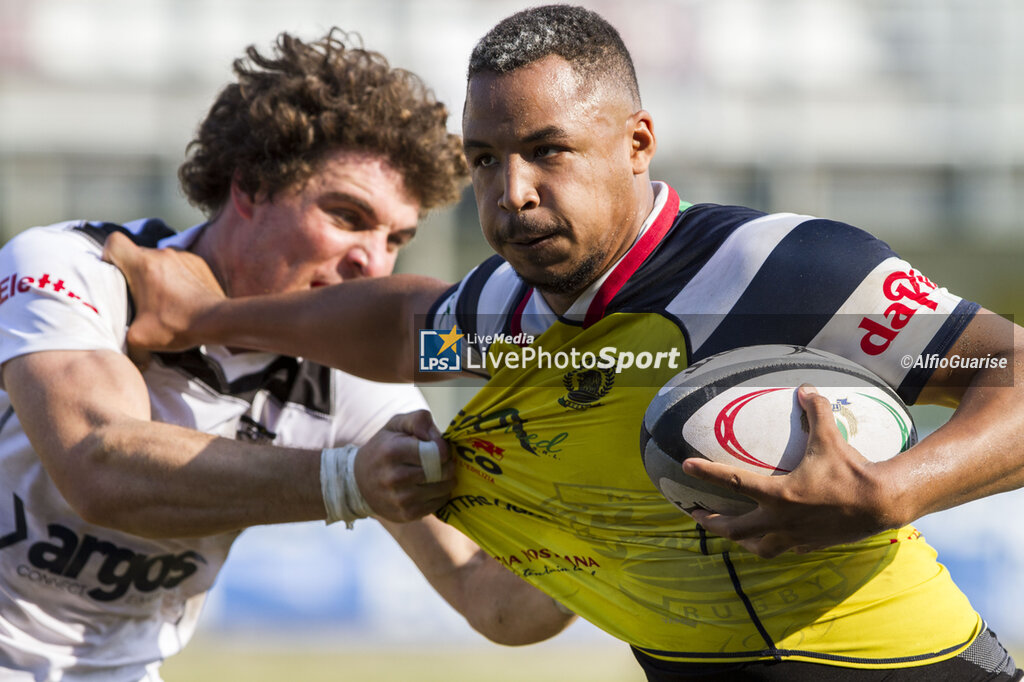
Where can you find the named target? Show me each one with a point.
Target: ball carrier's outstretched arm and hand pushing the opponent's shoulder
(365, 327)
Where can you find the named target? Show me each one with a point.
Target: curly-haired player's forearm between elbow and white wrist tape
(159, 481)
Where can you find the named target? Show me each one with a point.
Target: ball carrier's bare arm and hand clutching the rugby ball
(836, 496)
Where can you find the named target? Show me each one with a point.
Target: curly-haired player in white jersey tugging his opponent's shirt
(123, 487)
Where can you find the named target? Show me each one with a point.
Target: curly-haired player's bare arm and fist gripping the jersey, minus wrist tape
(87, 414)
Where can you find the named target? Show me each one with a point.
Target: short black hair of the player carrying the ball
(578, 35)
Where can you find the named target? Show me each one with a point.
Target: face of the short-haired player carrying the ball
(552, 173)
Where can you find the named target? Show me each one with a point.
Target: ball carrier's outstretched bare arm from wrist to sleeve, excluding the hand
(365, 327)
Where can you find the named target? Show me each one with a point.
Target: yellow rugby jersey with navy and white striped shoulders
(550, 479)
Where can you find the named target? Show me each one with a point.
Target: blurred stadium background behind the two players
(904, 117)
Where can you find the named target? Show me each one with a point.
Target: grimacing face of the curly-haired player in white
(348, 222)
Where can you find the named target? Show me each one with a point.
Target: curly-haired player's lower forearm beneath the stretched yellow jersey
(496, 603)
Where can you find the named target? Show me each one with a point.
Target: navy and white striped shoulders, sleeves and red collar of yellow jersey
(734, 277)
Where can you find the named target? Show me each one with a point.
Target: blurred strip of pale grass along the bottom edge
(210, 660)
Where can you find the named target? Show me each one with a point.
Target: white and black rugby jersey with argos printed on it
(78, 600)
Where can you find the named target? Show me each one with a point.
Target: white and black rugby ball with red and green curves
(741, 408)
